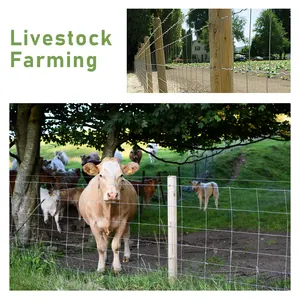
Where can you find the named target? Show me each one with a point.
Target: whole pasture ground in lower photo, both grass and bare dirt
(254, 199)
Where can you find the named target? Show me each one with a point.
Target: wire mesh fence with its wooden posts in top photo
(187, 65)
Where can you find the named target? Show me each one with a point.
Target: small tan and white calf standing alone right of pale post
(206, 190)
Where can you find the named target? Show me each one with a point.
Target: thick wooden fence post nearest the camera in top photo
(221, 50)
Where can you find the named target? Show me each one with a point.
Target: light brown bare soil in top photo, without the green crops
(197, 80)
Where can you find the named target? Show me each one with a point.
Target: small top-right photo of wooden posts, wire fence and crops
(209, 50)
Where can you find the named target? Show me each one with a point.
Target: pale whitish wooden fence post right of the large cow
(172, 229)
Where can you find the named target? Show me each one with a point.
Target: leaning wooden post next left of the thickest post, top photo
(160, 56)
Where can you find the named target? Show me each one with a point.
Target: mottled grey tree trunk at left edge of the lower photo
(24, 200)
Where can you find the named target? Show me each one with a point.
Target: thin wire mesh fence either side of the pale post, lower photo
(244, 242)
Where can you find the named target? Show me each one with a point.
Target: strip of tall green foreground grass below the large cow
(35, 269)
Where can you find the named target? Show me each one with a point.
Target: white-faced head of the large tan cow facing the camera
(110, 175)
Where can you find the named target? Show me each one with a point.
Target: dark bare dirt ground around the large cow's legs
(242, 257)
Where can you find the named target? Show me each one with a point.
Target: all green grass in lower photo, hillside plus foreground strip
(254, 184)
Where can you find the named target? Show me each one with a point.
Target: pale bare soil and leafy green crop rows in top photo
(248, 77)
